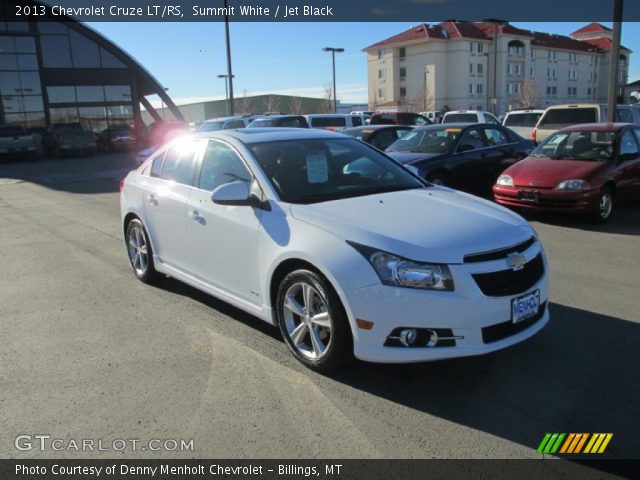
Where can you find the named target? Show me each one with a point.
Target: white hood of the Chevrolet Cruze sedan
(431, 225)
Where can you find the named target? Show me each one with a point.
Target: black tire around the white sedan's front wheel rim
(341, 342)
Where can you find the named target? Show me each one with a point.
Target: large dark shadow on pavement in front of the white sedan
(579, 374)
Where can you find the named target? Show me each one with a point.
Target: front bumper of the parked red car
(546, 199)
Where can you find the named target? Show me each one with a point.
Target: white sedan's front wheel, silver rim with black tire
(312, 321)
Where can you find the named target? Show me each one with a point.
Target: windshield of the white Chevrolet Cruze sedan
(320, 170)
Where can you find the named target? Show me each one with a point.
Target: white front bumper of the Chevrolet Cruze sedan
(480, 324)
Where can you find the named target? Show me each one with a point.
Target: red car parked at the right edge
(581, 169)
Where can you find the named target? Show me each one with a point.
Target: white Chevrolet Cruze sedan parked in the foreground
(342, 248)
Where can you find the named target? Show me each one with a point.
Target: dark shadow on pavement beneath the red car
(624, 221)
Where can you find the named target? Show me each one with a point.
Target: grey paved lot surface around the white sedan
(87, 351)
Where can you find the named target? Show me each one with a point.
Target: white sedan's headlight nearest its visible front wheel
(400, 272)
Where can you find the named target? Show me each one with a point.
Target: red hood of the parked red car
(547, 173)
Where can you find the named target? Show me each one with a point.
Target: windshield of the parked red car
(581, 145)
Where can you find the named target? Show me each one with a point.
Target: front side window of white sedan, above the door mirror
(220, 165)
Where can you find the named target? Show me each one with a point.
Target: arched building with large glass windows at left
(62, 71)
